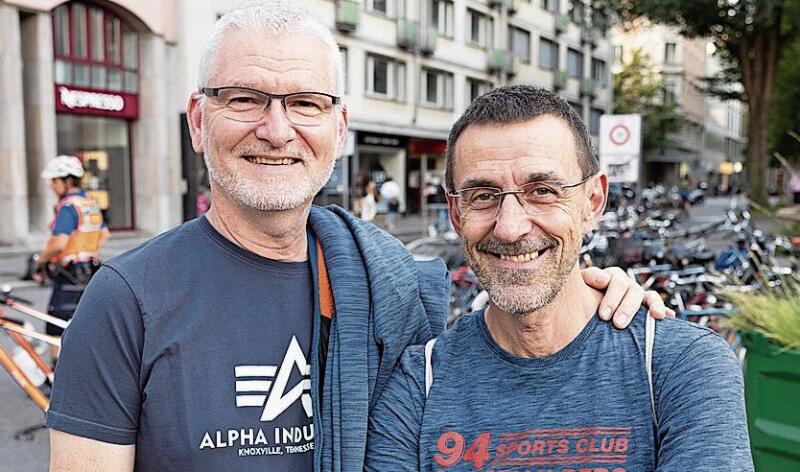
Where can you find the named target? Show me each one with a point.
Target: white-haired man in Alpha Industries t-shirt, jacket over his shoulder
(257, 336)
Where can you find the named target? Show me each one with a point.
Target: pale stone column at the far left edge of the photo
(13, 176)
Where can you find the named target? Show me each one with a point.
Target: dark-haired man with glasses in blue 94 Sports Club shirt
(535, 382)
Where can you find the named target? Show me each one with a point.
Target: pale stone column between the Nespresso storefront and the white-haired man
(156, 139)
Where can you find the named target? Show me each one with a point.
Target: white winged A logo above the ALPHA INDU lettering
(265, 386)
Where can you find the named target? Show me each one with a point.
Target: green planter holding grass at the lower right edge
(772, 396)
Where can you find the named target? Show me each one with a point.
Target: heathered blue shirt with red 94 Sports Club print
(584, 408)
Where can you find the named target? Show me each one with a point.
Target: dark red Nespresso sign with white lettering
(81, 101)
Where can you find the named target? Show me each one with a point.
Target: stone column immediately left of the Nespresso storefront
(40, 114)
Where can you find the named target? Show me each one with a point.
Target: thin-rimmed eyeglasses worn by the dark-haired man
(537, 198)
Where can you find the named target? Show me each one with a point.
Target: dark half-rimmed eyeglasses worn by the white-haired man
(249, 105)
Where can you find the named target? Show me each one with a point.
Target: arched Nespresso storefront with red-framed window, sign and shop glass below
(96, 75)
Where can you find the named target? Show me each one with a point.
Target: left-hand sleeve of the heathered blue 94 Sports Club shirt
(396, 419)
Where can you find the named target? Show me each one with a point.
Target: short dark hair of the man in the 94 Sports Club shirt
(518, 104)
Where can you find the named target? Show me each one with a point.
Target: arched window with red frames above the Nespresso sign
(94, 48)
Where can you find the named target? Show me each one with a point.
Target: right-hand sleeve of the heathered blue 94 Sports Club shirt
(701, 413)
